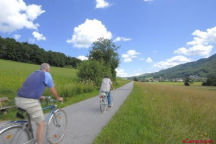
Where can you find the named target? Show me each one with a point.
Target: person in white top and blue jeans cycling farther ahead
(105, 87)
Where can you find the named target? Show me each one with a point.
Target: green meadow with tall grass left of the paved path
(68, 85)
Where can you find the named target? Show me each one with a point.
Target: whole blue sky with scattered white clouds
(153, 34)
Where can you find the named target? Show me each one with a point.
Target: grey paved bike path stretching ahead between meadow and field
(85, 120)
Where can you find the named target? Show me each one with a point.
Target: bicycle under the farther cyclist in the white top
(104, 101)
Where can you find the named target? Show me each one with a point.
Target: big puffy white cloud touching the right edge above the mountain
(201, 44)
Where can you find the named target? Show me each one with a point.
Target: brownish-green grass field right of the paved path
(163, 114)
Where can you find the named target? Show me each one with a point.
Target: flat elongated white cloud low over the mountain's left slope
(174, 61)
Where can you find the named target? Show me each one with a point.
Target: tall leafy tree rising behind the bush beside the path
(105, 50)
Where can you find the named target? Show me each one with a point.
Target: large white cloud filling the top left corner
(15, 15)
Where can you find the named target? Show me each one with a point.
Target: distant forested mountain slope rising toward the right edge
(202, 68)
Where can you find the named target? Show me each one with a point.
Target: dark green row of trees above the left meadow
(10, 49)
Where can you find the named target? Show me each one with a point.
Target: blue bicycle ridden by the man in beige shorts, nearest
(21, 132)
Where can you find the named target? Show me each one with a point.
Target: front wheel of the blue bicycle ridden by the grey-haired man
(56, 126)
